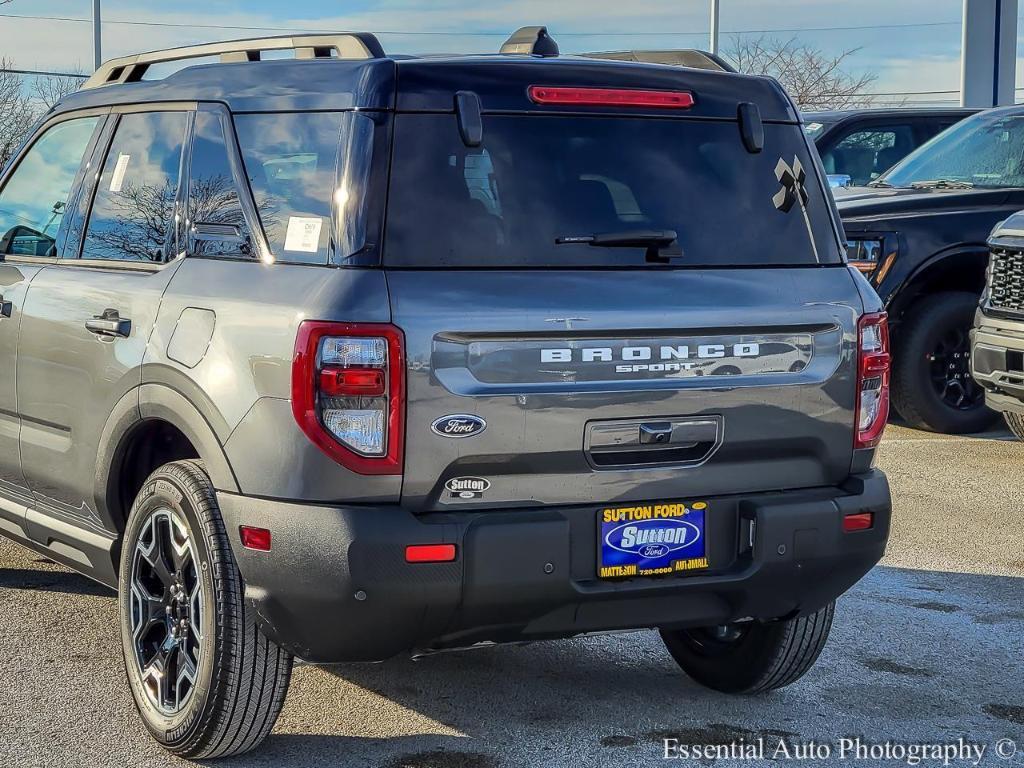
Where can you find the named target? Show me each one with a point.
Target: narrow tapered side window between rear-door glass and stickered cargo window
(217, 225)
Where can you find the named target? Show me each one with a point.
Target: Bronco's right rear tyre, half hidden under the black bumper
(751, 658)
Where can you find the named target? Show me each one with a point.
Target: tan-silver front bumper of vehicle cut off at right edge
(998, 362)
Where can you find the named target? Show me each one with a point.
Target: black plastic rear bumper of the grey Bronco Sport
(336, 586)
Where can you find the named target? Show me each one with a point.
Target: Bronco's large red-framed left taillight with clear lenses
(348, 394)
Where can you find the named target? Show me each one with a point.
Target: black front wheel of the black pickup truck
(932, 388)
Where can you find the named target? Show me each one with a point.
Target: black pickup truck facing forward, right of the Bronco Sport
(919, 234)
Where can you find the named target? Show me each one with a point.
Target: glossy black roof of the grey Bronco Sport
(422, 84)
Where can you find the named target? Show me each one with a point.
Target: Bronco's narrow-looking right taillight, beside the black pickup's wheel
(873, 379)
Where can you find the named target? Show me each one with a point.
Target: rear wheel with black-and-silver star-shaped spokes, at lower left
(205, 679)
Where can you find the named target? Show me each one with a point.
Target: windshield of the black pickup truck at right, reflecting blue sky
(986, 151)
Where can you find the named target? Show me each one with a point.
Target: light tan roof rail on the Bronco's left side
(340, 45)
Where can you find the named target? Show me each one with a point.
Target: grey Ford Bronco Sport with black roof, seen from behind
(345, 356)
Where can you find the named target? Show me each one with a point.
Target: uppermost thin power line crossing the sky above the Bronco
(482, 33)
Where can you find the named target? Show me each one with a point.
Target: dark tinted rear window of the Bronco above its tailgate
(538, 180)
